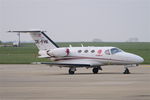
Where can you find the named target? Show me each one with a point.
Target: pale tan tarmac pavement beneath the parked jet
(41, 82)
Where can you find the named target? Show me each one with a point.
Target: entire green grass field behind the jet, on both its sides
(28, 53)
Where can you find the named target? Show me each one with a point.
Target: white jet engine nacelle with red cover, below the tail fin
(59, 52)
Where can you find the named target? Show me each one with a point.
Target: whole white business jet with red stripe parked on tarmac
(75, 57)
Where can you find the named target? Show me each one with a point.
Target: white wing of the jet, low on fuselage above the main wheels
(75, 63)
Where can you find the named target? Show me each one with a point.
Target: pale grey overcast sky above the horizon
(77, 20)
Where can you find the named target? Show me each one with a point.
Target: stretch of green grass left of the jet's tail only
(19, 55)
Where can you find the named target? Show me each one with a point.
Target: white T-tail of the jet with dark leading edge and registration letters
(42, 41)
